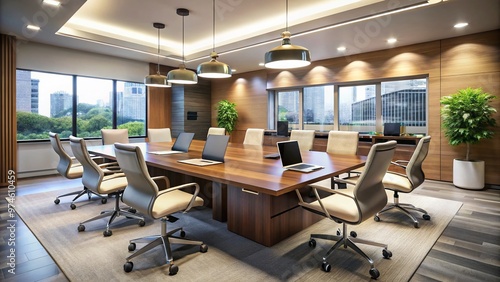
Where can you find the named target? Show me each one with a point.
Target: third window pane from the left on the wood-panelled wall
(357, 110)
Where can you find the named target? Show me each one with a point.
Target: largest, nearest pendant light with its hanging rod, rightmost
(287, 56)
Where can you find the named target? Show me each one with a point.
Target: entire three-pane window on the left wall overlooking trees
(45, 102)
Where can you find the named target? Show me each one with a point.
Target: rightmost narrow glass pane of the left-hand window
(131, 107)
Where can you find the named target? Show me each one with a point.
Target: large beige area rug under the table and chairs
(88, 256)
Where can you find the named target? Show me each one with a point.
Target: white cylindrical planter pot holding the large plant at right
(468, 174)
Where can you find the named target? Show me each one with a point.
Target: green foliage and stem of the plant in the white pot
(467, 117)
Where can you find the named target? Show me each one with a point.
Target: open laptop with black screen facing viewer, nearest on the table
(291, 159)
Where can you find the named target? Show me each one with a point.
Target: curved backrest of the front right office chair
(369, 191)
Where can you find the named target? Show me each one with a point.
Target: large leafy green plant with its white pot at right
(467, 118)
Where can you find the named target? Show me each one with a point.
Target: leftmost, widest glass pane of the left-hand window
(43, 104)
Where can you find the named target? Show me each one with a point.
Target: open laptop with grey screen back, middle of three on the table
(213, 151)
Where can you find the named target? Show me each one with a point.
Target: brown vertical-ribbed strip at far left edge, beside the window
(8, 130)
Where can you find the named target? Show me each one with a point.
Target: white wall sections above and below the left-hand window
(39, 158)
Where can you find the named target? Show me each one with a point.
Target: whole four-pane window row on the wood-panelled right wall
(362, 107)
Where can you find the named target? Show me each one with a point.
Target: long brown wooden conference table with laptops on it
(254, 194)
